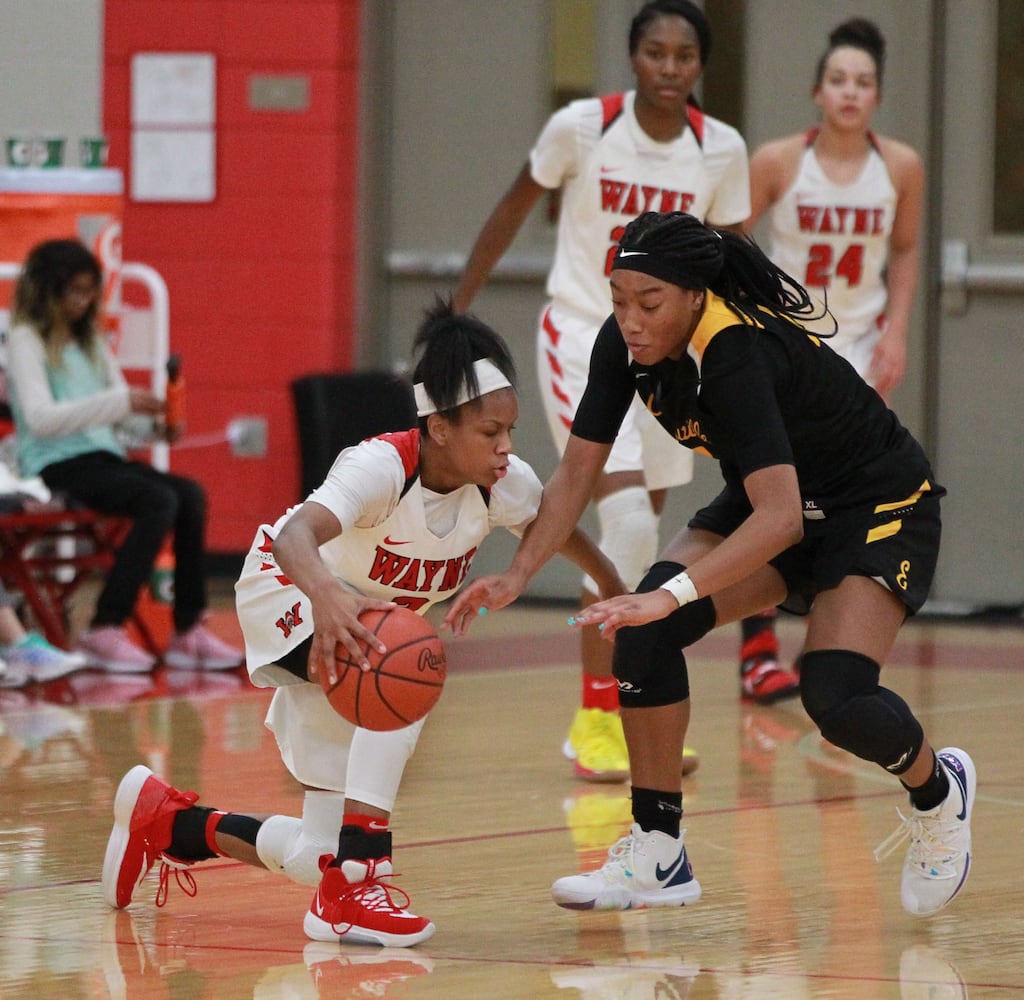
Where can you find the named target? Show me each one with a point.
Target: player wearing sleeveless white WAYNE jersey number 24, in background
(845, 208)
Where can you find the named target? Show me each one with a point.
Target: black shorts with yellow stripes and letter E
(895, 543)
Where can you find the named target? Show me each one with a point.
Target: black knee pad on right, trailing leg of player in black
(840, 690)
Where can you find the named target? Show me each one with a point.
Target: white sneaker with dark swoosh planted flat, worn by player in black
(644, 871)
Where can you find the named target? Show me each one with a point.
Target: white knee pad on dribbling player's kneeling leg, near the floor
(293, 848)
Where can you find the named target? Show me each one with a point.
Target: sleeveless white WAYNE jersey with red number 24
(836, 237)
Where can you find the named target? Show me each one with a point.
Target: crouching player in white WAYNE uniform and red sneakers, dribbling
(398, 521)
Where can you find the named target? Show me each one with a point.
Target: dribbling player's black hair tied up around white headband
(449, 343)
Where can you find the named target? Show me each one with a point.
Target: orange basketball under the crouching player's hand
(402, 685)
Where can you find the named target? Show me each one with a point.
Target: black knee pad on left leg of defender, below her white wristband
(649, 662)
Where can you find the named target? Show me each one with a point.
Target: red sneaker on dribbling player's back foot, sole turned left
(144, 815)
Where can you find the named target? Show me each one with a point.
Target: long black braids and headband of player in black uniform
(733, 267)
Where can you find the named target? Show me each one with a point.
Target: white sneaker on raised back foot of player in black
(938, 859)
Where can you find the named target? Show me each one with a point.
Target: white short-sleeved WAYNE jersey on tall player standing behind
(611, 171)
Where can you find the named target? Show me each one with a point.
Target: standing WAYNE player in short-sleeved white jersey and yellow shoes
(613, 158)
